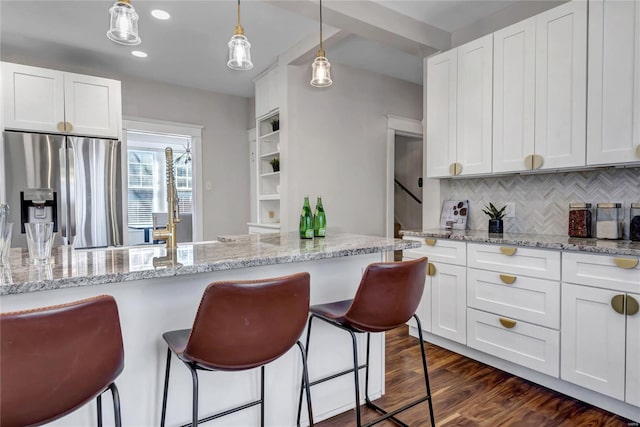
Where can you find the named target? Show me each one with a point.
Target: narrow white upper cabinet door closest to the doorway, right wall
(442, 77)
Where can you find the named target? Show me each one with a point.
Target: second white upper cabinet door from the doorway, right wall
(474, 106)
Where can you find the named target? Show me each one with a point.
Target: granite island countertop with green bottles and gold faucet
(70, 267)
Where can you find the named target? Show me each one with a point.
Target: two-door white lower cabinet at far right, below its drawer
(600, 341)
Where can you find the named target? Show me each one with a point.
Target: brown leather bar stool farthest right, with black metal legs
(387, 297)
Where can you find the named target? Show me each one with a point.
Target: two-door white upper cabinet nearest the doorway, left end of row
(458, 110)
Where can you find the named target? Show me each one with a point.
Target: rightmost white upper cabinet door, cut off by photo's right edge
(613, 133)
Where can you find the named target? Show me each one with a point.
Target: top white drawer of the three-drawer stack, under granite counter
(542, 264)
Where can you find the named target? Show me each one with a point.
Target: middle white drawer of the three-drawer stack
(526, 298)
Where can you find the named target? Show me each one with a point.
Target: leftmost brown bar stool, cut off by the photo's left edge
(55, 359)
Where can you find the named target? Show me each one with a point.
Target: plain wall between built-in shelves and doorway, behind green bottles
(336, 145)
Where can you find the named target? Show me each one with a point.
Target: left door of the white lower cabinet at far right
(593, 340)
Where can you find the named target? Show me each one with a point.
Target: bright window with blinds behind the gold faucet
(146, 175)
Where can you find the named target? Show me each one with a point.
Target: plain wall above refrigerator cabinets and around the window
(225, 120)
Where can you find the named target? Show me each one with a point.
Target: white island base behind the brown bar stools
(150, 307)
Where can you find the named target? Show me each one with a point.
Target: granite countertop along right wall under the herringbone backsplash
(610, 247)
